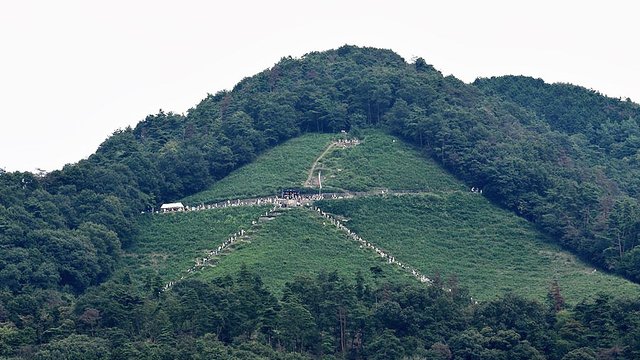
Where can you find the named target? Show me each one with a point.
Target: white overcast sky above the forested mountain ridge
(72, 72)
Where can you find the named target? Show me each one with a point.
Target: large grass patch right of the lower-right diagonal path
(490, 250)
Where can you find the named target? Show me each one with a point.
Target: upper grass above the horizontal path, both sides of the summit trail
(380, 161)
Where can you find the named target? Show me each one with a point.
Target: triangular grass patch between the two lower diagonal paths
(297, 243)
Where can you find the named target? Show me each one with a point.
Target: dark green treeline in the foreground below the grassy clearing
(323, 317)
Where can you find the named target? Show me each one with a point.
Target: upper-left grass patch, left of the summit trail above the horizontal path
(284, 166)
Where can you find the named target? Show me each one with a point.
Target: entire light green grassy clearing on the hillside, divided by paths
(448, 230)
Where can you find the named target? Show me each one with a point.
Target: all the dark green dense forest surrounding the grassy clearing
(559, 155)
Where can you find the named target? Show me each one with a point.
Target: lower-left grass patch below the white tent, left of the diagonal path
(168, 244)
